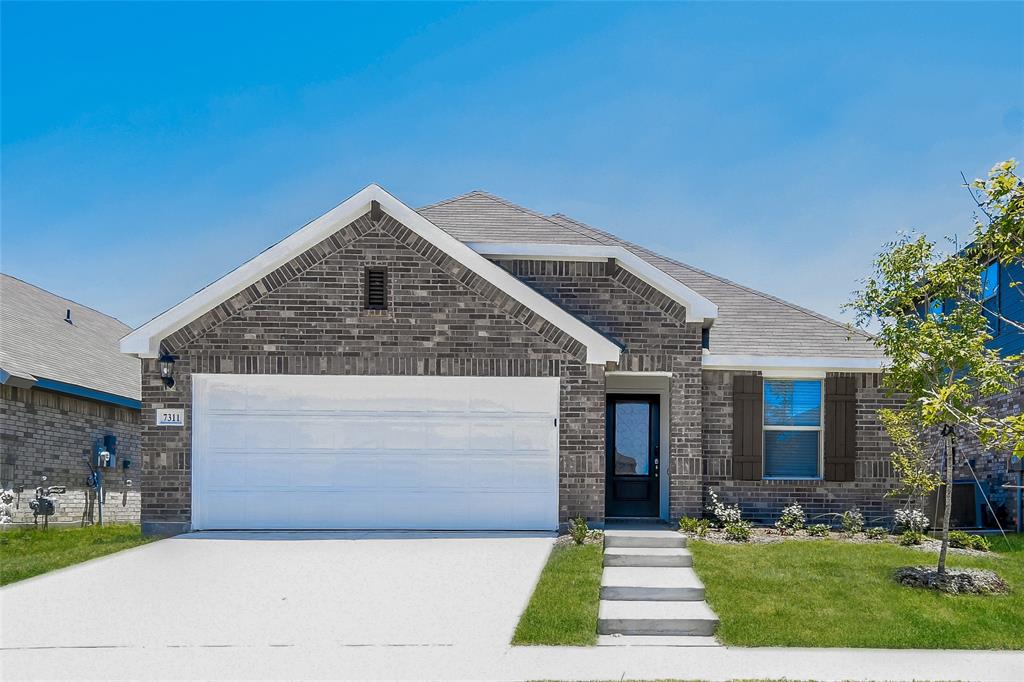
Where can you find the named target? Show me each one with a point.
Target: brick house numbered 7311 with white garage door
(477, 365)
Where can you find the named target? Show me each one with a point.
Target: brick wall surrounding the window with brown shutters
(762, 501)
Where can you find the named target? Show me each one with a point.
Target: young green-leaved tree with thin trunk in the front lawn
(933, 328)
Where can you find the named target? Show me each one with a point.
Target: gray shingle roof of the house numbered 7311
(750, 322)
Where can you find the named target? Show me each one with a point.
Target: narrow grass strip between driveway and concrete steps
(564, 609)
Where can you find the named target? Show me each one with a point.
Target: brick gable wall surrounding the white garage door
(309, 318)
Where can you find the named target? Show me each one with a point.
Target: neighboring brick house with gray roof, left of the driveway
(66, 387)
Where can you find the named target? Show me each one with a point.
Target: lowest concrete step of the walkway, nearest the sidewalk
(656, 618)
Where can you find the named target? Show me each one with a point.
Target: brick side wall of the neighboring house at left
(51, 435)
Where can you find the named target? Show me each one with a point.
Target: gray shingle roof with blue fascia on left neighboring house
(39, 348)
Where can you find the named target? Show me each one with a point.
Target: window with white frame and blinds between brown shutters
(793, 429)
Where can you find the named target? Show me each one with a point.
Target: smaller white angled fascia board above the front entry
(698, 308)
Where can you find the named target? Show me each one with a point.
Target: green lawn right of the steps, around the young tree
(831, 593)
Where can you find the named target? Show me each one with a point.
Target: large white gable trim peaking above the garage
(146, 340)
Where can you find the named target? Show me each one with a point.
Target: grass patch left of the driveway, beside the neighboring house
(28, 552)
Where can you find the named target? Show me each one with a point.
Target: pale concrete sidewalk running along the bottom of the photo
(461, 663)
